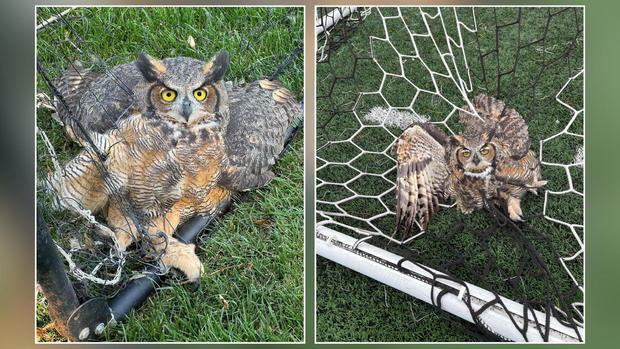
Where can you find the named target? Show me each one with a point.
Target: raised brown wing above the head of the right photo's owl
(509, 126)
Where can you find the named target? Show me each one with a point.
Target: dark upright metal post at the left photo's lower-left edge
(53, 280)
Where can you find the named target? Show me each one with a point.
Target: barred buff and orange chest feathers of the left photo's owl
(168, 165)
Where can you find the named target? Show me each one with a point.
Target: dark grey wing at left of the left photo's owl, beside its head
(93, 102)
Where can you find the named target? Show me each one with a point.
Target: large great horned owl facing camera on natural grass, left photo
(166, 140)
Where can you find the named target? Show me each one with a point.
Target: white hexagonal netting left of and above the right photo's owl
(398, 117)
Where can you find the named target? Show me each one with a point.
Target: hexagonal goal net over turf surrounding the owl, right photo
(383, 68)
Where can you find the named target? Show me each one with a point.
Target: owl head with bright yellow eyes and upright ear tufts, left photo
(185, 90)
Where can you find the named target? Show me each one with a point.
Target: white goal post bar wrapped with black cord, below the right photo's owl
(343, 249)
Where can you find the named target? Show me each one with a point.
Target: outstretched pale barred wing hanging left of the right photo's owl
(421, 174)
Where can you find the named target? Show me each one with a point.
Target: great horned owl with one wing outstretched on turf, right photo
(490, 160)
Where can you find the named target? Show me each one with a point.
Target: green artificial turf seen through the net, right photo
(350, 78)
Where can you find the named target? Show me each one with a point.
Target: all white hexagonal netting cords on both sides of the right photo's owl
(401, 117)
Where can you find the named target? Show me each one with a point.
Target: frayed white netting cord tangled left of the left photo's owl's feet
(116, 255)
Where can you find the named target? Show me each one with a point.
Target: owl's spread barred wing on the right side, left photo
(260, 115)
